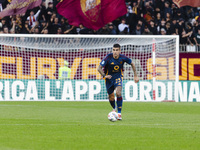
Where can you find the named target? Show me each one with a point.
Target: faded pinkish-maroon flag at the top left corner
(19, 7)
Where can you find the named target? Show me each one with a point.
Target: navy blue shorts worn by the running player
(111, 84)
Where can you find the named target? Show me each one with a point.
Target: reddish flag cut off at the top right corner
(193, 3)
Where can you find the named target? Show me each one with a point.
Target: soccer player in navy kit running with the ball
(113, 74)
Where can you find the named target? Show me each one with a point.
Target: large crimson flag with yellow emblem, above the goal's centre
(92, 14)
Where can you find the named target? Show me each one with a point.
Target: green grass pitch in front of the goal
(84, 126)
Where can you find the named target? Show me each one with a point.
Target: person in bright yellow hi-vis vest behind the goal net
(65, 71)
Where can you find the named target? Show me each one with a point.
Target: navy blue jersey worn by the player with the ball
(114, 67)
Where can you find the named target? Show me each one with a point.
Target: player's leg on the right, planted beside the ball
(119, 101)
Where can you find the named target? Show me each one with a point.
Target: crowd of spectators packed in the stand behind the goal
(144, 17)
